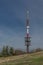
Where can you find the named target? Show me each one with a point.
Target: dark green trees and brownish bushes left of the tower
(10, 51)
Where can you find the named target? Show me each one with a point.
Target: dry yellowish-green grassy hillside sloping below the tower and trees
(26, 59)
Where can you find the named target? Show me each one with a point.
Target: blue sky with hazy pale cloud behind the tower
(12, 22)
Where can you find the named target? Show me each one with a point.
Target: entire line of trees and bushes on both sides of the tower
(10, 51)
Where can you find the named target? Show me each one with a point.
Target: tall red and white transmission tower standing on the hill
(27, 38)
